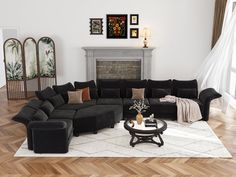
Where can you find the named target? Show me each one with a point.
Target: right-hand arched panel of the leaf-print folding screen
(47, 62)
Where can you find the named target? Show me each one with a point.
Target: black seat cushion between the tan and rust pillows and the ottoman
(77, 106)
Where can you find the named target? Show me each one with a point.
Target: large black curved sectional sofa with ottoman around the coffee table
(51, 121)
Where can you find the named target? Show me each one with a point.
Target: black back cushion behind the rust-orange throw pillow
(92, 87)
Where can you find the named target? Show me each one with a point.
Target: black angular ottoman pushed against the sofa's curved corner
(96, 117)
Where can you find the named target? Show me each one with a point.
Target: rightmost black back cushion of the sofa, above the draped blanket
(185, 84)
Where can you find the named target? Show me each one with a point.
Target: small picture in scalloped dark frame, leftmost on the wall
(96, 26)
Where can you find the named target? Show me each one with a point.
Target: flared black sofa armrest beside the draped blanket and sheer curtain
(205, 97)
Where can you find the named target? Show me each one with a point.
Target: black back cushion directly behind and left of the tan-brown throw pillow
(63, 89)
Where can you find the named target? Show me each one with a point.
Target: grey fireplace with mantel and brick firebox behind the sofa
(118, 62)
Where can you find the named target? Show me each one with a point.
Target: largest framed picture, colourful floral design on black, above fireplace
(117, 26)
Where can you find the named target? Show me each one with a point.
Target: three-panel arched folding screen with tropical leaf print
(29, 69)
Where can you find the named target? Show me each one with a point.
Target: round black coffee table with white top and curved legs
(142, 134)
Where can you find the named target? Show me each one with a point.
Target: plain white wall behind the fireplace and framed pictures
(181, 31)
